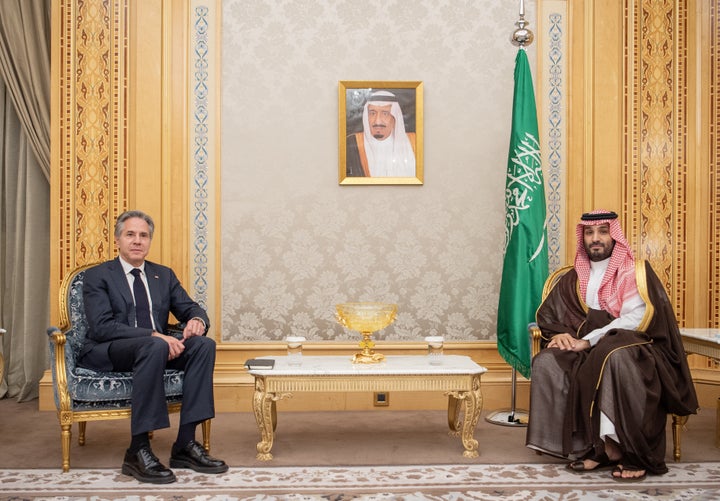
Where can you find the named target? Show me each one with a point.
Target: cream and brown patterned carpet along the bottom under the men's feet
(684, 481)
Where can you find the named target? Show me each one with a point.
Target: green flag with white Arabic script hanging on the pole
(525, 265)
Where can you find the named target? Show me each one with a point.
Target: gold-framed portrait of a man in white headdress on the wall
(380, 132)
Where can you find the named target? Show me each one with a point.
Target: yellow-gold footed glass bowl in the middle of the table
(366, 318)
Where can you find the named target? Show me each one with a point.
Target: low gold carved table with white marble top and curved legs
(458, 377)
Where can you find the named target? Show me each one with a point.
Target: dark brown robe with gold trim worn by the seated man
(635, 377)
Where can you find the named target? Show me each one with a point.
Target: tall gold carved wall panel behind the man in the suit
(90, 164)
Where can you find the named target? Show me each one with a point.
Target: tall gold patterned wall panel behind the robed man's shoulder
(655, 162)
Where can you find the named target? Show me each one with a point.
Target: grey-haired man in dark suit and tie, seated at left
(127, 329)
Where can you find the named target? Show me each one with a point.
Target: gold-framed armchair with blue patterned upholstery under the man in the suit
(83, 395)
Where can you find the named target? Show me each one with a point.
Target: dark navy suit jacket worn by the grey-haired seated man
(110, 309)
